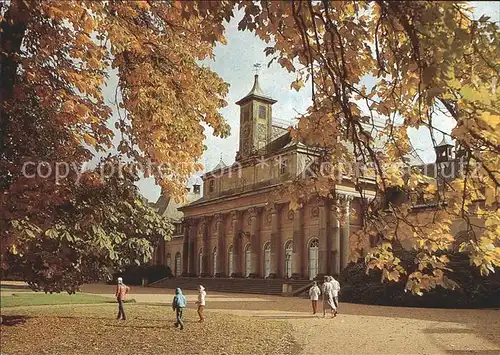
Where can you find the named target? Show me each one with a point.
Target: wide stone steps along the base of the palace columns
(252, 286)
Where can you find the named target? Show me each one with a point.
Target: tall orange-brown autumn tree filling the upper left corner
(54, 61)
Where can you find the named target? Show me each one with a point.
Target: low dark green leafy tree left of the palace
(104, 226)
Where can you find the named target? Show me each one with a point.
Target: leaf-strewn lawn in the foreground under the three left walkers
(93, 329)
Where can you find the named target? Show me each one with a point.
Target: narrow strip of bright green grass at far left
(40, 298)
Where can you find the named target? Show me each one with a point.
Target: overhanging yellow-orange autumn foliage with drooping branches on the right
(424, 57)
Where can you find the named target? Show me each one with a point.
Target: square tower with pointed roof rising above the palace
(255, 121)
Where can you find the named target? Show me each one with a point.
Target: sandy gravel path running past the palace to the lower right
(358, 329)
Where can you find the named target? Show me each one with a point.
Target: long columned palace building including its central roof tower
(233, 230)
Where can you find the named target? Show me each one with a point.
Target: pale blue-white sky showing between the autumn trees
(234, 63)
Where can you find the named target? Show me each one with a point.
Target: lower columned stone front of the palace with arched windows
(249, 237)
